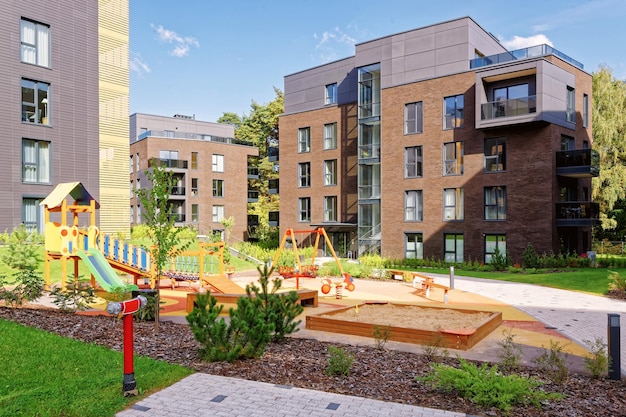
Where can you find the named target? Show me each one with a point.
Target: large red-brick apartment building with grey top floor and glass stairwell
(439, 142)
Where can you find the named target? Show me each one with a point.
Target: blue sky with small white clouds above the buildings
(204, 58)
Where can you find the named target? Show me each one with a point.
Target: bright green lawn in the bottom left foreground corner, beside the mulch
(46, 375)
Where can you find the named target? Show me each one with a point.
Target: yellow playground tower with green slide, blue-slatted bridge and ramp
(66, 241)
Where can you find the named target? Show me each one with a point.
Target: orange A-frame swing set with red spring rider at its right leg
(300, 270)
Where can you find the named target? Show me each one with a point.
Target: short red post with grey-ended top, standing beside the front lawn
(126, 309)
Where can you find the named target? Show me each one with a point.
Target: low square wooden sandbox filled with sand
(462, 338)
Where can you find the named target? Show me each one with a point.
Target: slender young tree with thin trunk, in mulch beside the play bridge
(164, 235)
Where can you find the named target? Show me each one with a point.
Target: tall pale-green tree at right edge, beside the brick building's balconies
(609, 139)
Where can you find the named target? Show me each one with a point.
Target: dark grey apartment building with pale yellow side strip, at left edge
(58, 64)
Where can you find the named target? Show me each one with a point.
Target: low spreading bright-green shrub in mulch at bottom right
(487, 386)
